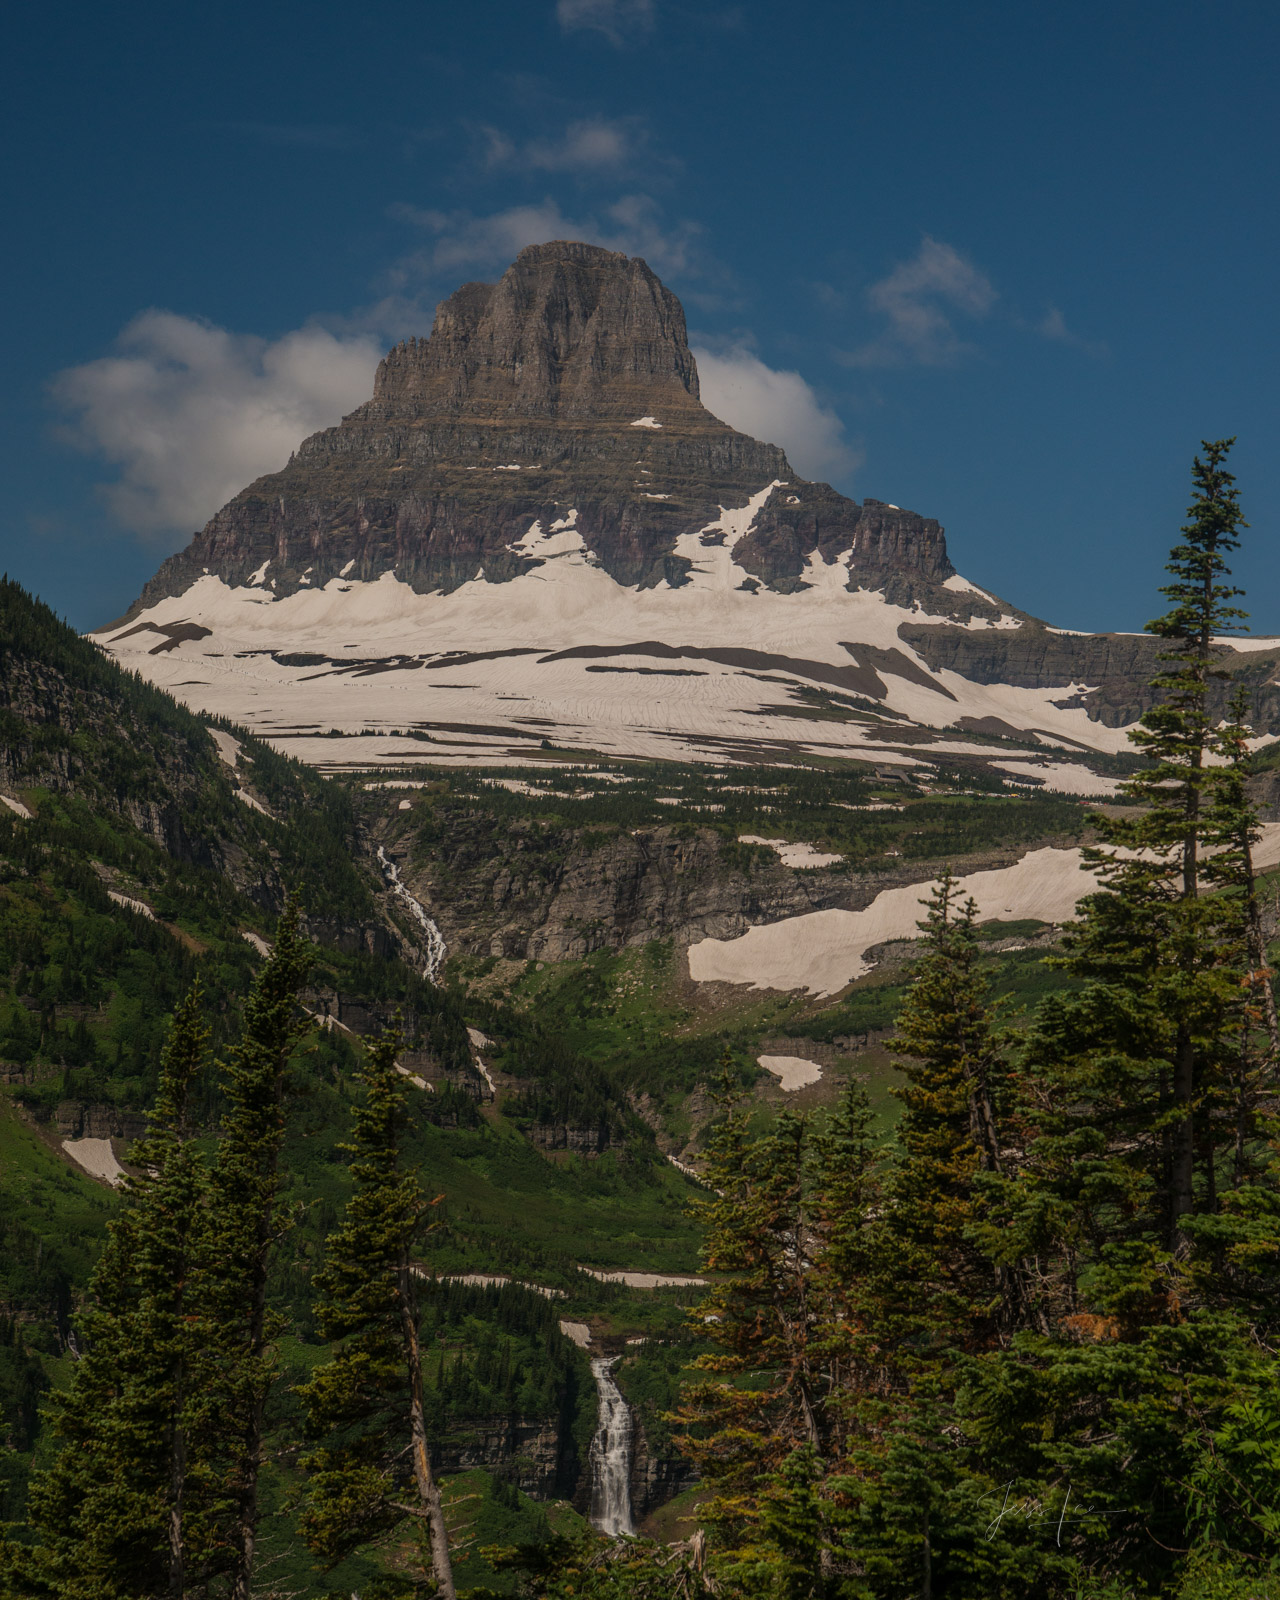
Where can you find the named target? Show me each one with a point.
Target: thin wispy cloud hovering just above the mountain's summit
(463, 241)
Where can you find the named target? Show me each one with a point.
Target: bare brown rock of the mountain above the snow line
(567, 385)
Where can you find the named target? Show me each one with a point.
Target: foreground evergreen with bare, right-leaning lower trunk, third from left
(374, 1468)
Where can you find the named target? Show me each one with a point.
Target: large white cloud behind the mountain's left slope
(191, 414)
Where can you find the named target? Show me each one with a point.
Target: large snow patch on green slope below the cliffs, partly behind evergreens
(825, 950)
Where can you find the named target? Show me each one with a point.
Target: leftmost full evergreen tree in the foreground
(113, 1514)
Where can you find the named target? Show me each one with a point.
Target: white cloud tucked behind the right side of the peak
(778, 407)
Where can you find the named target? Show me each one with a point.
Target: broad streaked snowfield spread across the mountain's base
(710, 670)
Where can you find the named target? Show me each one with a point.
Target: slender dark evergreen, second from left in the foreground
(238, 1327)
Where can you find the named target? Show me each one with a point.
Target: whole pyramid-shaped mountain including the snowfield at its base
(535, 535)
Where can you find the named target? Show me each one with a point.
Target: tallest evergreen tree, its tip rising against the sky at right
(1159, 1287)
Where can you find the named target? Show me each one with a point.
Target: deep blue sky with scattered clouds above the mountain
(1002, 265)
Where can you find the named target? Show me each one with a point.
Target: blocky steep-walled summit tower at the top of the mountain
(570, 332)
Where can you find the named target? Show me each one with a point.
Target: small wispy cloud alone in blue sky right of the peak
(918, 302)
